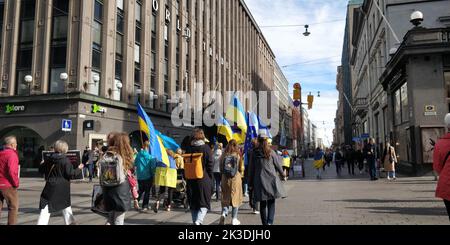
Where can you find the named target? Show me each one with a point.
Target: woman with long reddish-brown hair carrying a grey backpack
(118, 198)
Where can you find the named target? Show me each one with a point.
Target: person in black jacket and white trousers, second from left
(55, 197)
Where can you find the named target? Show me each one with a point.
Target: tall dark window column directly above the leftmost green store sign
(25, 49)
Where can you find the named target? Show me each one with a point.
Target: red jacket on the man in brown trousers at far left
(9, 168)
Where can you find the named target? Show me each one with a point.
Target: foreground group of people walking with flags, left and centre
(136, 175)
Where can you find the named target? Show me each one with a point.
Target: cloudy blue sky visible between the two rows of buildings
(312, 61)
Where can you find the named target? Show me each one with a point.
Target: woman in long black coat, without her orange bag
(199, 190)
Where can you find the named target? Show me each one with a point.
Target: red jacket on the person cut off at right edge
(440, 152)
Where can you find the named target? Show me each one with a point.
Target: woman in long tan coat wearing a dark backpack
(232, 169)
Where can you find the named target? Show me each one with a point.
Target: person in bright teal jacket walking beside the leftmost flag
(145, 171)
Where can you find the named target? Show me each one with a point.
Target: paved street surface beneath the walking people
(349, 201)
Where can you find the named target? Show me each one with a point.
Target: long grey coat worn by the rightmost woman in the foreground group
(264, 177)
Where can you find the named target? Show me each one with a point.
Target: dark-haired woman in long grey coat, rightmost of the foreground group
(265, 170)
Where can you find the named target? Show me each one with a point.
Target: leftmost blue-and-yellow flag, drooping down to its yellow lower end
(166, 170)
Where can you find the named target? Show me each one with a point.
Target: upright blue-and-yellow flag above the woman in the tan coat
(236, 116)
